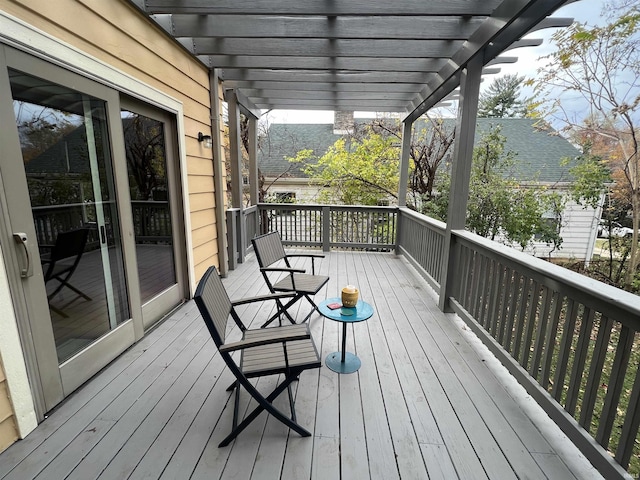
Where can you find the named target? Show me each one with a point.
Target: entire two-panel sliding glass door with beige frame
(91, 227)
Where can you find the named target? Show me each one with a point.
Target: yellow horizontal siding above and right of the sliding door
(117, 34)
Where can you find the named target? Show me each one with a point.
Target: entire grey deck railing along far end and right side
(571, 341)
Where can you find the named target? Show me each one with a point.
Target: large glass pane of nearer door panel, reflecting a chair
(67, 162)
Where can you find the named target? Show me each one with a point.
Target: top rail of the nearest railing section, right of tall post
(619, 304)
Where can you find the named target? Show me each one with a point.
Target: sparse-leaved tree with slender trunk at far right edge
(601, 65)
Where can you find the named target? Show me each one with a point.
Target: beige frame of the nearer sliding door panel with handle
(56, 381)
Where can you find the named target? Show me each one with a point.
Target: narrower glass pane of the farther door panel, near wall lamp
(145, 146)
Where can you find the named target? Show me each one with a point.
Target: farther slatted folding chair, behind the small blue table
(270, 253)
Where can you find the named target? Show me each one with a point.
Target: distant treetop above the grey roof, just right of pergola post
(503, 99)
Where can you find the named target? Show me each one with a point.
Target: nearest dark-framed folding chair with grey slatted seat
(286, 350)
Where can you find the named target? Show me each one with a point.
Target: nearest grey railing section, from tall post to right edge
(571, 341)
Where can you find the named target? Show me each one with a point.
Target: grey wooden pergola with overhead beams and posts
(403, 56)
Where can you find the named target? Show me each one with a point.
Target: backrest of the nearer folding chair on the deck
(214, 304)
